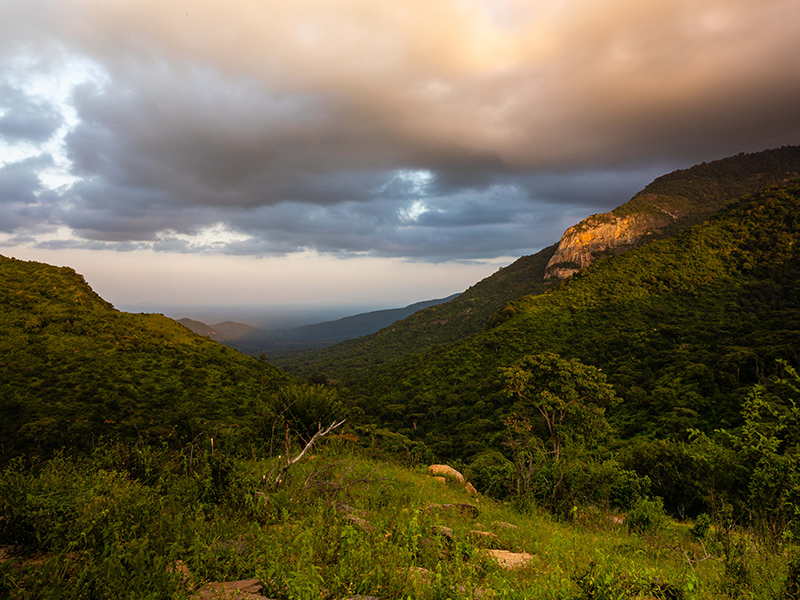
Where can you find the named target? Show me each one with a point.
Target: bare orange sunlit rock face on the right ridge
(602, 235)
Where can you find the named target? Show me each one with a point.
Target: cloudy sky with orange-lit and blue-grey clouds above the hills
(370, 153)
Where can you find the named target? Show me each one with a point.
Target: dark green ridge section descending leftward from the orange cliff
(441, 324)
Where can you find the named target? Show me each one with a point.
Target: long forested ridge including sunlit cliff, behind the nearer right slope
(668, 205)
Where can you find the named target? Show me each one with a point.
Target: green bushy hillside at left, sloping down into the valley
(72, 367)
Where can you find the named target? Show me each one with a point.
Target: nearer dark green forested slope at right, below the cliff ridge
(682, 327)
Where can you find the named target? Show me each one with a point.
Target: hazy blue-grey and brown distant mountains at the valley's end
(285, 342)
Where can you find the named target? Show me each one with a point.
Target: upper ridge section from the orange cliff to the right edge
(670, 204)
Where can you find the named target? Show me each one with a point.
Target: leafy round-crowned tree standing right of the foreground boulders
(570, 397)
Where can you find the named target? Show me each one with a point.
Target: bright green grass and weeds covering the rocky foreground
(112, 526)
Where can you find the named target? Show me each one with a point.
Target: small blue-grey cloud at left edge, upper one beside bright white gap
(24, 118)
